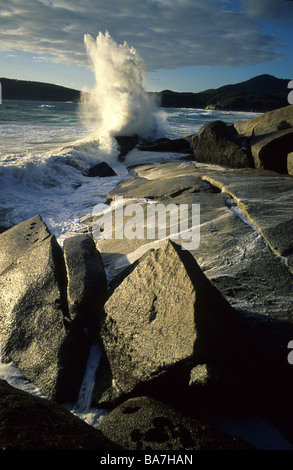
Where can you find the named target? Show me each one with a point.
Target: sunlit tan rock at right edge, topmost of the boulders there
(272, 121)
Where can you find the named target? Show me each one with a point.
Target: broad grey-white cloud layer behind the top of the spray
(167, 33)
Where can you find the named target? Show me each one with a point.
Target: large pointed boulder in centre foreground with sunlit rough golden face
(163, 317)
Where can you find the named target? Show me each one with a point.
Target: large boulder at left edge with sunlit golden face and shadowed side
(35, 331)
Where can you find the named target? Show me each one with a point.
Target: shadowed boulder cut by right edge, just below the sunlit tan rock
(270, 151)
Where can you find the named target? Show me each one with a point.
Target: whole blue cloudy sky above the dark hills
(186, 45)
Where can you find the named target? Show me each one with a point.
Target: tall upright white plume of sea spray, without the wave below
(118, 105)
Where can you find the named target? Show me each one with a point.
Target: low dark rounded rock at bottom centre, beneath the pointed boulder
(146, 424)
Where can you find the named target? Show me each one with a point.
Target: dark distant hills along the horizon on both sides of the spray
(260, 94)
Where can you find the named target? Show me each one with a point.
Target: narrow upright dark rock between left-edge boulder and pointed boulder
(87, 288)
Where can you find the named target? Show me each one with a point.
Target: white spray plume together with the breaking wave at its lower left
(118, 105)
